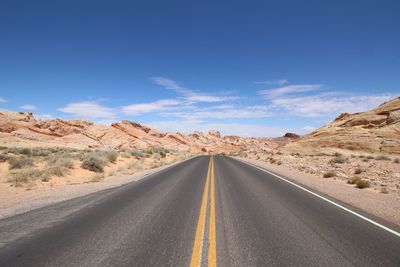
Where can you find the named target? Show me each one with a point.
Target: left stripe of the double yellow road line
(198, 241)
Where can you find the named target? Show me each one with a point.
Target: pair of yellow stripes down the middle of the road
(199, 238)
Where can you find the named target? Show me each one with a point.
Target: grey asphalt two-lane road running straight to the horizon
(204, 211)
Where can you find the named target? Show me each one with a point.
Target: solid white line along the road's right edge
(323, 198)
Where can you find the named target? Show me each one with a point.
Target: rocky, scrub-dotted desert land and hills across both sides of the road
(361, 149)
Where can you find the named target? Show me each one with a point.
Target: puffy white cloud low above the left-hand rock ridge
(88, 109)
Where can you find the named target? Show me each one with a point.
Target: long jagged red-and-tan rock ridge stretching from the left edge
(23, 129)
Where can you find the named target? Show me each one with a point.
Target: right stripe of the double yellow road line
(212, 253)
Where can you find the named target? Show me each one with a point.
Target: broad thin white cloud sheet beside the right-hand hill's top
(327, 104)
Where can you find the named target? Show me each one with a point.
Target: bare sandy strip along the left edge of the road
(18, 200)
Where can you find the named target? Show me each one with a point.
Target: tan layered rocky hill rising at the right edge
(377, 131)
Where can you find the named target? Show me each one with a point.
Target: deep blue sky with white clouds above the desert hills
(251, 68)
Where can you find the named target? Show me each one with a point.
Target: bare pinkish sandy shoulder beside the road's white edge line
(386, 206)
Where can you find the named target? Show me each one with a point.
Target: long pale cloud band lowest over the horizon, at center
(246, 130)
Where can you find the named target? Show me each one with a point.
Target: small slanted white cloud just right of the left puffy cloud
(156, 106)
